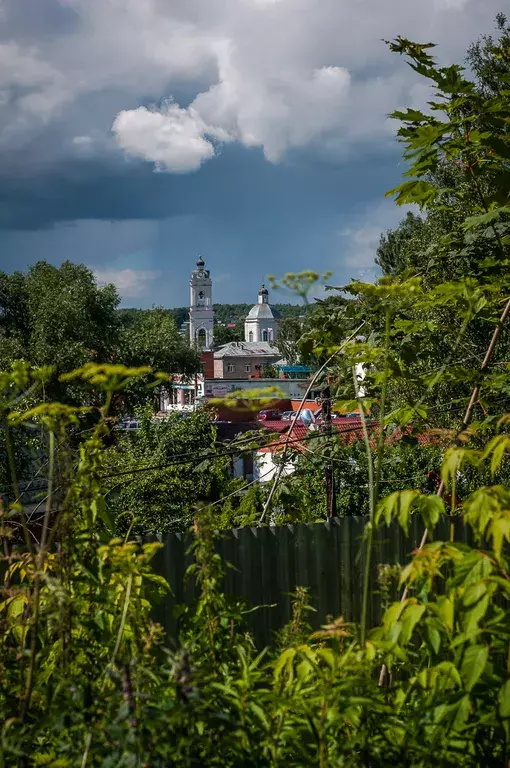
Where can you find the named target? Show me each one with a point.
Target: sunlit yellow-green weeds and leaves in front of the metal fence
(86, 678)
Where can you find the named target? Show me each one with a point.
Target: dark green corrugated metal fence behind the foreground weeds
(268, 563)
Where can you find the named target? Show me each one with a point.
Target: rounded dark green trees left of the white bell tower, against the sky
(60, 317)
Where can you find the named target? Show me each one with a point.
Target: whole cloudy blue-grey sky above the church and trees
(137, 134)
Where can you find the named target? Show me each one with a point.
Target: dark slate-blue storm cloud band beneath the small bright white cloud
(237, 184)
